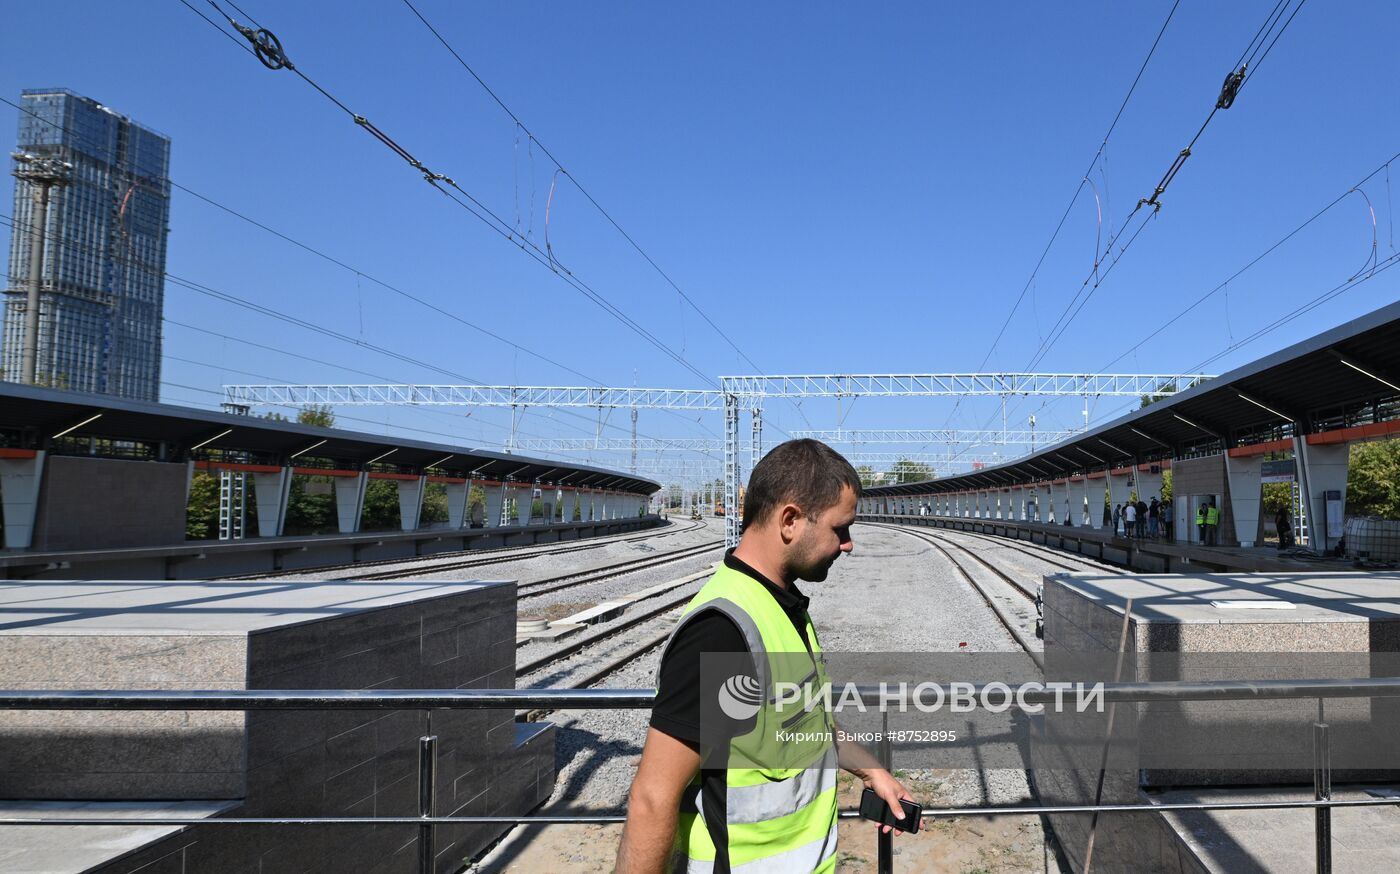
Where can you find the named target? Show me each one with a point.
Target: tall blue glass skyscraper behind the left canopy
(104, 258)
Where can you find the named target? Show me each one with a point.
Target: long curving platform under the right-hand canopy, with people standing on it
(1147, 555)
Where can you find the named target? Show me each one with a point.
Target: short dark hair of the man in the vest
(804, 473)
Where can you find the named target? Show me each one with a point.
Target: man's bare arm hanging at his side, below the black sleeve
(654, 803)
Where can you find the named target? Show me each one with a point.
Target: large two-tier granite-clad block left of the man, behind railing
(267, 763)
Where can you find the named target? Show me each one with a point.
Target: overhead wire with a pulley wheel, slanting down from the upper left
(472, 205)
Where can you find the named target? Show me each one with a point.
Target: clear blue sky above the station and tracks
(841, 187)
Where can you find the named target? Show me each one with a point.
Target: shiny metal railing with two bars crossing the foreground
(640, 700)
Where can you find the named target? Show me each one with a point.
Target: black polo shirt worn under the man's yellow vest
(677, 711)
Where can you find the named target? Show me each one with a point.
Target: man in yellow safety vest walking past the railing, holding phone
(729, 779)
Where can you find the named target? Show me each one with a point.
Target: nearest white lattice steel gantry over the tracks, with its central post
(734, 396)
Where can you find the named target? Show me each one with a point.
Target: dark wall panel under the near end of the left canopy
(107, 504)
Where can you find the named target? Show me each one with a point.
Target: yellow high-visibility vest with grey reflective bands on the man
(782, 812)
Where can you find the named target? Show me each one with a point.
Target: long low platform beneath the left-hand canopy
(206, 560)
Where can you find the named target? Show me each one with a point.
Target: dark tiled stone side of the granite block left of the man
(366, 763)
